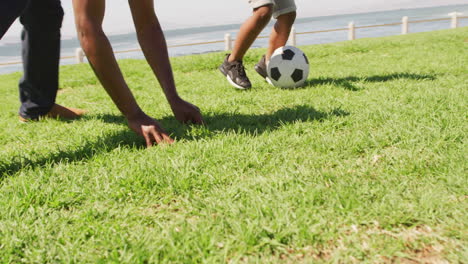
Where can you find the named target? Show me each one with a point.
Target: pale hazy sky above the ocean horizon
(175, 14)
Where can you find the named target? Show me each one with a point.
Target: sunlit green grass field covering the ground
(367, 163)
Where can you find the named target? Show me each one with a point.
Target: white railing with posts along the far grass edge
(228, 40)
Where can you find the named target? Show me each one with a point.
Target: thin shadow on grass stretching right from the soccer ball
(348, 83)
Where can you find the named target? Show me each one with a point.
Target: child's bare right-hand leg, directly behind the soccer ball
(280, 33)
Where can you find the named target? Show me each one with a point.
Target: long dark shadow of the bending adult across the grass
(215, 124)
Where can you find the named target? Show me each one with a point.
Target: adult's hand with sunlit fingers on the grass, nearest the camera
(149, 129)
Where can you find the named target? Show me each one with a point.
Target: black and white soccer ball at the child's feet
(288, 67)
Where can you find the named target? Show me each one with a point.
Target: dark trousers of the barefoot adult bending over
(42, 20)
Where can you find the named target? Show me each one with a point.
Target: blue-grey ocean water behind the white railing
(11, 51)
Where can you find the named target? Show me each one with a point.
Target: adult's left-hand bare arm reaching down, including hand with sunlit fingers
(89, 15)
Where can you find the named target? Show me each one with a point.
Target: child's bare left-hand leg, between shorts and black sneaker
(250, 30)
